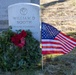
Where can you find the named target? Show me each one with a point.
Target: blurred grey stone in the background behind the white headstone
(4, 12)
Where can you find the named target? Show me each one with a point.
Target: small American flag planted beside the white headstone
(55, 42)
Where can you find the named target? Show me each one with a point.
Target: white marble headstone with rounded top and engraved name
(25, 16)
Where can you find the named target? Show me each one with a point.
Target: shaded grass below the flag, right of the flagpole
(61, 65)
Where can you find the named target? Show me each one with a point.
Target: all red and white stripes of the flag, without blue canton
(62, 44)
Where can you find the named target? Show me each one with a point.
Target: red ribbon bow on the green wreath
(18, 39)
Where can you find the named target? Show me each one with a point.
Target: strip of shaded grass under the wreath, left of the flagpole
(26, 72)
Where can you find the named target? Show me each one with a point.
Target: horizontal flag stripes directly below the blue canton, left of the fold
(51, 47)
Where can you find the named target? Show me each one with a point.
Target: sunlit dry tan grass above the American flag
(61, 15)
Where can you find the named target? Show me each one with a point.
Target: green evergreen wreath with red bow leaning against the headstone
(18, 50)
